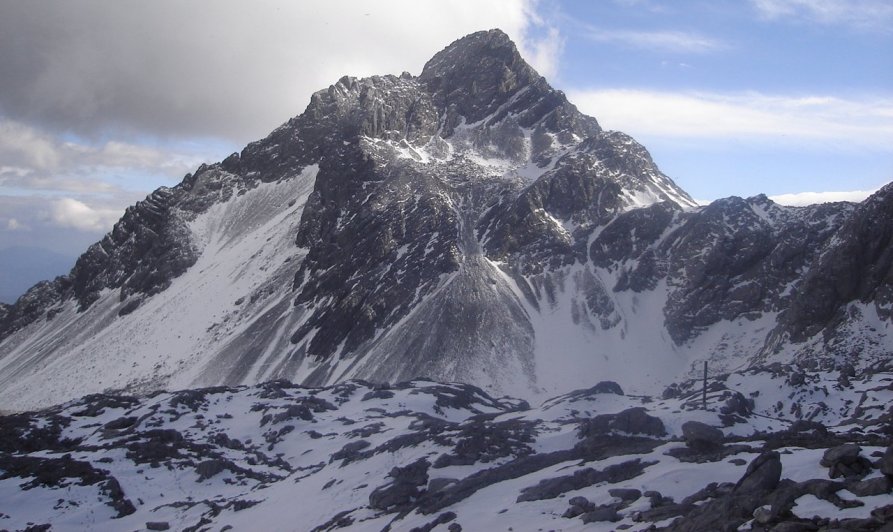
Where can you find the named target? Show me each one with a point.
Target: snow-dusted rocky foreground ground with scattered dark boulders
(779, 448)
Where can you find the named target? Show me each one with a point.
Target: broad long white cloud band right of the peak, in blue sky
(825, 121)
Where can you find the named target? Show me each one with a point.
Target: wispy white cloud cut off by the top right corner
(876, 15)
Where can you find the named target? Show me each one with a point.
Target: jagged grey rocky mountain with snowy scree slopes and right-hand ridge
(467, 224)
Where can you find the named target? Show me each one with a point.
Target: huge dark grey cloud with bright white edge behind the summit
(223, 67)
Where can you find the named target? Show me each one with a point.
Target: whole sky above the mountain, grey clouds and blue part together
(102, 102)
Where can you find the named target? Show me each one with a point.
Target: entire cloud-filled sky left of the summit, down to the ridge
(103, 101)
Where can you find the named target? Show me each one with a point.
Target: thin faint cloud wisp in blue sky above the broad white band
(660, 41)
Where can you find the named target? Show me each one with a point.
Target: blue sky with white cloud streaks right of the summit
(739, 98)
